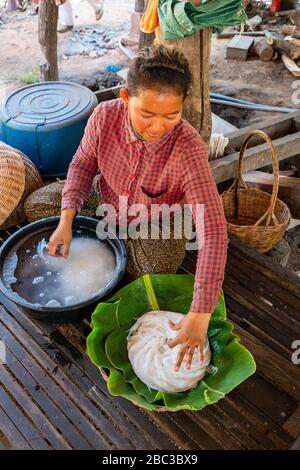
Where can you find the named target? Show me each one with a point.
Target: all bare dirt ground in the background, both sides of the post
(263, 82)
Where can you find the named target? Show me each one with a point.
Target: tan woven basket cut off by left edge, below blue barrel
(18, 178)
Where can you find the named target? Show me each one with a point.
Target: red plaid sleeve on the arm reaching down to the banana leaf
(200, 188)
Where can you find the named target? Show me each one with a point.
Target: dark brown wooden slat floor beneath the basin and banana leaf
(52, 397)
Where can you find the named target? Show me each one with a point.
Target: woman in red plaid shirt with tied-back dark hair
(148, 153)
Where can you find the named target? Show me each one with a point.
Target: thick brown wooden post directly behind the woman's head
(197, 110)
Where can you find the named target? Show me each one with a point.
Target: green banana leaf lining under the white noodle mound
(112, 320)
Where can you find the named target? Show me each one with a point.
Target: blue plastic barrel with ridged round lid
(46, 121)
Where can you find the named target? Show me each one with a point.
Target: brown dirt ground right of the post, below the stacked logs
(253, 80)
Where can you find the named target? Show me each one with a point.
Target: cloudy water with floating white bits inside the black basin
(50, 281)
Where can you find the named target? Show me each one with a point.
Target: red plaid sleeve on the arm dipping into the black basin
(83, 166)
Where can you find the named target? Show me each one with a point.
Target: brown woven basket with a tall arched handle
(257, 218)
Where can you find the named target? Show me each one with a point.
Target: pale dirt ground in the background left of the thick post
(22, 54)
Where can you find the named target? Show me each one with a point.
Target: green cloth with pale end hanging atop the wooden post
(180, 18)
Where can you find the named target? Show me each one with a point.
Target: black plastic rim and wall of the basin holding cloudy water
(42, 228)
